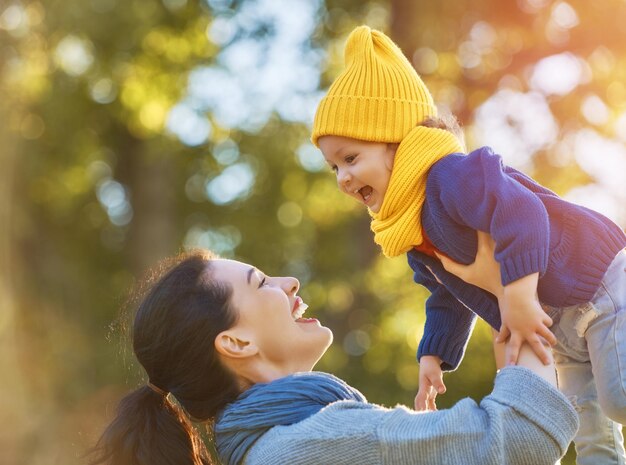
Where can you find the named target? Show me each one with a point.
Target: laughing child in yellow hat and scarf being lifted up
(562, 265)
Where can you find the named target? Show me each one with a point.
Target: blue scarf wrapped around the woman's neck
(284, 401)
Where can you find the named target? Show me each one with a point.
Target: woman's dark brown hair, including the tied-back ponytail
(173, 338)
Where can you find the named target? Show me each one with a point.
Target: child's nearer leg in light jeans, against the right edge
(606, 339)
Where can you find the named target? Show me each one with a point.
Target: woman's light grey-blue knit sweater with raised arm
(523, 421)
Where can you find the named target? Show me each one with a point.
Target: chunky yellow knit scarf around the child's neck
(397, 226)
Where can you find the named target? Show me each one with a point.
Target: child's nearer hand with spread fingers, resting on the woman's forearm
(523, 320)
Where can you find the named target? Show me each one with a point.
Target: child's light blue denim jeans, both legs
(590, 359)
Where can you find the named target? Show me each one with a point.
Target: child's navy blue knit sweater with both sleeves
(569, 246)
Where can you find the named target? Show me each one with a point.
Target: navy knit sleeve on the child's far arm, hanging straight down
(448, 325)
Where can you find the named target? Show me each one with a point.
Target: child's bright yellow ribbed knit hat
(379, 97)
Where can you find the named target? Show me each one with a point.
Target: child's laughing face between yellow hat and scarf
(362, 168)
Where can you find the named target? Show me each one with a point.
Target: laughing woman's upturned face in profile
(270, 317)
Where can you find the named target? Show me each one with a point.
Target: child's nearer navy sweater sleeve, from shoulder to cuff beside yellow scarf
(476, 191)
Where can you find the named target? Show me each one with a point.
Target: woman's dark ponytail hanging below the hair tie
(149, 429)
